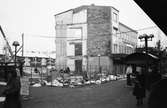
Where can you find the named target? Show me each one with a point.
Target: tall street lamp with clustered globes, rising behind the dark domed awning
(146, 39)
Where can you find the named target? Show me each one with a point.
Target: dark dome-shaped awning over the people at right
(140, 58)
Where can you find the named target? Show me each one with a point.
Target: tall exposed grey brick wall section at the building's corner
(99, 30)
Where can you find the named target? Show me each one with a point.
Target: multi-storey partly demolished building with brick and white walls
(88, 36)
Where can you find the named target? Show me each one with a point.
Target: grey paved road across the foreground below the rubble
(114, 94)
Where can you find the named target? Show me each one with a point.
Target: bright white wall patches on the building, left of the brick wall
(77, 32)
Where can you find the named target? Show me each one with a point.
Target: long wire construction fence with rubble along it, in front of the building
(59, 73)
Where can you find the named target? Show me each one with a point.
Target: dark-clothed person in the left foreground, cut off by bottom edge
(12, 91)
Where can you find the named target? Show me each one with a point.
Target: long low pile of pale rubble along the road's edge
(76, 81)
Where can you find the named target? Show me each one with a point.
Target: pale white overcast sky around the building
(35, 18)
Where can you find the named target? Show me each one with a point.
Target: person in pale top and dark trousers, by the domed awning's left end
(128, 73)
